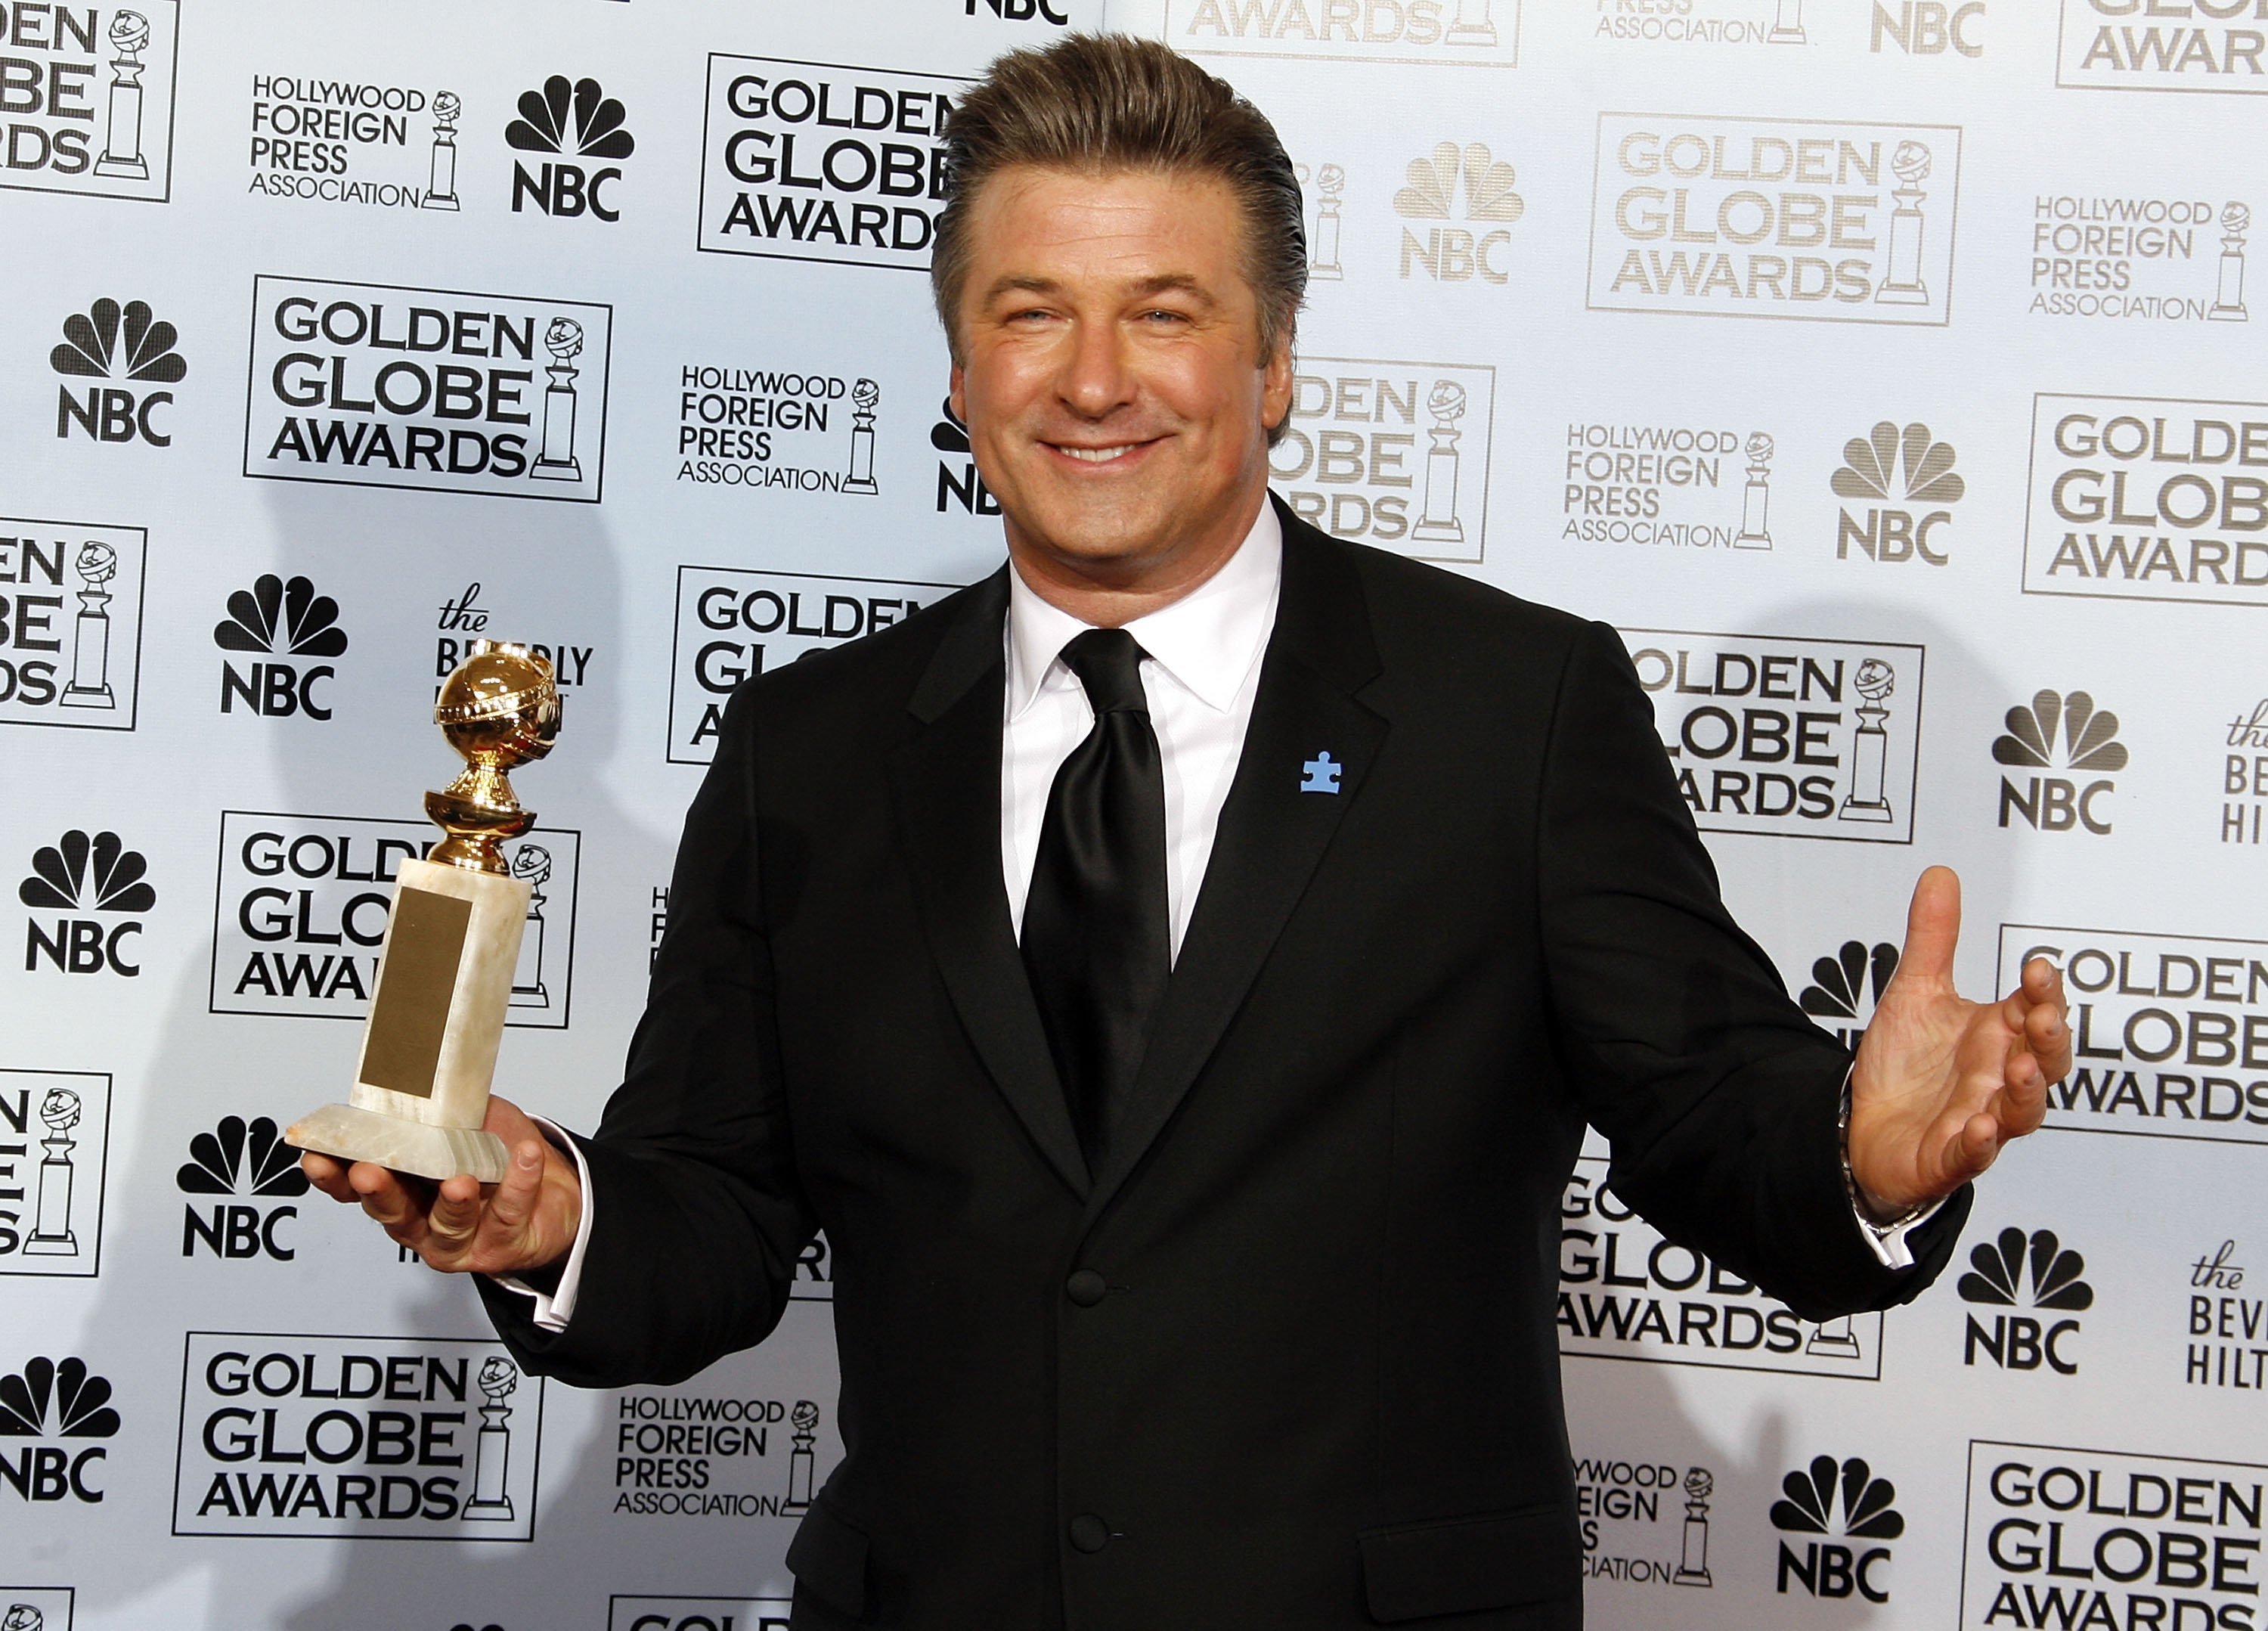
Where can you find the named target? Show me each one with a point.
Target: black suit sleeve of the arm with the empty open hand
(1718, 1095)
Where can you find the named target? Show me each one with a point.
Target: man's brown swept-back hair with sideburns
(1099, 103)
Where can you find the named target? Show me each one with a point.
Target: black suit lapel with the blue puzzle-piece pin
(1273, 831)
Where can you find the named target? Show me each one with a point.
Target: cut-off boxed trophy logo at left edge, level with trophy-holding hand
(53, 1167)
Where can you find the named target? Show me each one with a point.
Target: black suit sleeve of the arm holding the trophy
(700, 1215)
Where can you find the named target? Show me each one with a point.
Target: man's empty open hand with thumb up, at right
(1945, 1083)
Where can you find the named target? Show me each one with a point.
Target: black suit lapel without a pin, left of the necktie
(947, 793)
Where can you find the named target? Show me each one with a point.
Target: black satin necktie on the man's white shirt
(1094, 924)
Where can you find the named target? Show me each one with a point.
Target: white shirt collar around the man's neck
(1208, 641)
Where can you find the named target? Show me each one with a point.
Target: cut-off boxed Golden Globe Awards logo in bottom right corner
(2106, 1539)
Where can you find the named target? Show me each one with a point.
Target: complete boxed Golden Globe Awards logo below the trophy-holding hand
(369, 1437)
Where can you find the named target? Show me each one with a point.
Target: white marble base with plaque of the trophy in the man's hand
(437, 1020)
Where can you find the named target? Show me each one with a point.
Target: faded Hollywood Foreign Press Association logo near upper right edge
(2165, 260)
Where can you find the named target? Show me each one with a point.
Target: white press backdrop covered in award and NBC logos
(1886, 369)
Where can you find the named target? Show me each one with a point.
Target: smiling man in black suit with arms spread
(1183, 992)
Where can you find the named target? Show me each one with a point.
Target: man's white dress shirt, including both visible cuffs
(1201, 677)
